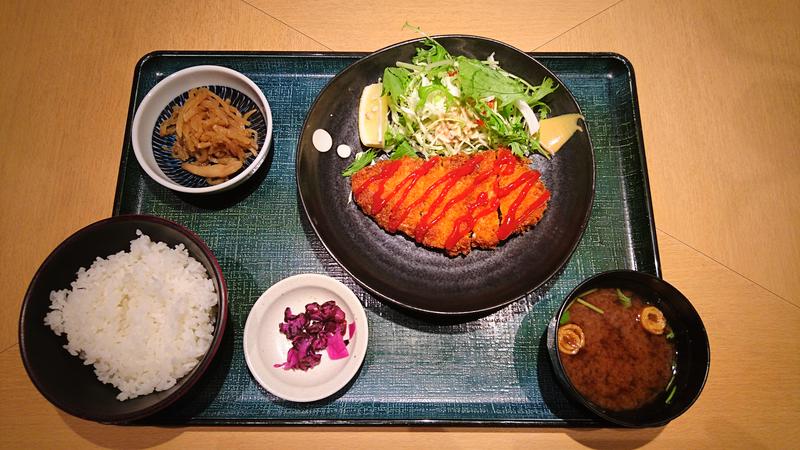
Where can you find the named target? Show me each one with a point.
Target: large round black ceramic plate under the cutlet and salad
(394, 267)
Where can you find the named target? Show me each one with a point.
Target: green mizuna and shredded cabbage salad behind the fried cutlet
(440, 104)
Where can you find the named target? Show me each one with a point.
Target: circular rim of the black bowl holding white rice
(192, 378)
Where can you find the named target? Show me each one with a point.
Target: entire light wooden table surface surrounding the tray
(719, 89)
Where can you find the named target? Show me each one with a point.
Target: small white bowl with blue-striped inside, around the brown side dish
(153, 151)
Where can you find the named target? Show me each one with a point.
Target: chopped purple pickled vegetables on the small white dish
(320, 327)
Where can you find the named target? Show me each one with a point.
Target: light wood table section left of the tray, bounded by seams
(64, 89)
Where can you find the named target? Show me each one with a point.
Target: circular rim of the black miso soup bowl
(573, 392)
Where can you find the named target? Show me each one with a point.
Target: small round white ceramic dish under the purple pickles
(265, 346)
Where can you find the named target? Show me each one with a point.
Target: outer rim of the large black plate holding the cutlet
(431, 312)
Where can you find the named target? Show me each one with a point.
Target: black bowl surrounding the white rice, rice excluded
(62, 378)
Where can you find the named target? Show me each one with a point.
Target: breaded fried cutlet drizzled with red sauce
(453, 203)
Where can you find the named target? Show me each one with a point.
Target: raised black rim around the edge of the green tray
(533, 423)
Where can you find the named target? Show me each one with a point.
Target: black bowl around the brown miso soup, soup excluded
(691, 344)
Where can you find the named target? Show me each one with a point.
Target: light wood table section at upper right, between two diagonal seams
(719, 91)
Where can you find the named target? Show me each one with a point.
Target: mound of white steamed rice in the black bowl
(143, 318)
